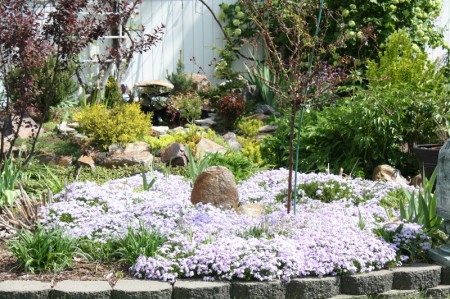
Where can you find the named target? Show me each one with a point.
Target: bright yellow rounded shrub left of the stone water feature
(122, 124)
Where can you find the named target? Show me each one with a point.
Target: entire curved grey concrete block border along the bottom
(414, 281)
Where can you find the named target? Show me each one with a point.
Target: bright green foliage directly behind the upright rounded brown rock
(237, 162)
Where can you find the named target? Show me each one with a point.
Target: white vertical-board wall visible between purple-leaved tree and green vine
(189, 27)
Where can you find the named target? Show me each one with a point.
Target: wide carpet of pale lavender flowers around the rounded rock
(204, 241)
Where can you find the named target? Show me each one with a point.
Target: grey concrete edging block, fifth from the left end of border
(258, 290)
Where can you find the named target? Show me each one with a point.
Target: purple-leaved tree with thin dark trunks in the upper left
(35, 32)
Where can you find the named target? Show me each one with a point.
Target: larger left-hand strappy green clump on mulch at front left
(42, 250)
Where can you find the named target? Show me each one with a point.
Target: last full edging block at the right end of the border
(417, 276)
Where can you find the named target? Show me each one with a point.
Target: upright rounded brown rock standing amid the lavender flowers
(216, 186)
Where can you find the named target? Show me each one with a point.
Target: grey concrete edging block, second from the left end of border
(81, 290)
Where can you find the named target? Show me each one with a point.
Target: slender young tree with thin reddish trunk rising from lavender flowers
(292, 34)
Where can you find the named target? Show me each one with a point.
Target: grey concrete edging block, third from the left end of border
(132, 289)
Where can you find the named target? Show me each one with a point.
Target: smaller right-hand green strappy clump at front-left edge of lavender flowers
(136, 243)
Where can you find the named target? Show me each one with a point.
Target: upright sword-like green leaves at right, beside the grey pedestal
(421, 208)
